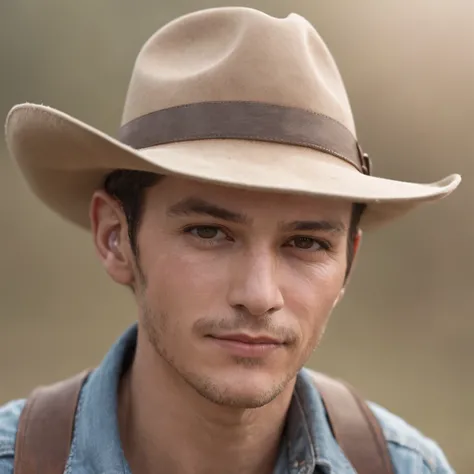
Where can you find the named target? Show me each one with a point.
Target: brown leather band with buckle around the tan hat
(245, 120)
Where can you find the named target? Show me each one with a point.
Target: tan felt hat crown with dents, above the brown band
(237, 54)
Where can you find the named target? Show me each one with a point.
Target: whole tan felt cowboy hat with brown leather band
(230, 96)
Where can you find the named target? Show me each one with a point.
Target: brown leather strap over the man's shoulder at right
(355, 427)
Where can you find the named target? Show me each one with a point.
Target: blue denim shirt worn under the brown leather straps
(307, 446)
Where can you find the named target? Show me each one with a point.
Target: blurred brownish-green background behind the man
(404, 335)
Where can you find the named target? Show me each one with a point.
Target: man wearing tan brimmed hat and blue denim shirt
(232, 205)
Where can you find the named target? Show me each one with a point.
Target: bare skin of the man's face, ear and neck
(213, 263)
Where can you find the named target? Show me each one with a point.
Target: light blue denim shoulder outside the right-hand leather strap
(411, 451)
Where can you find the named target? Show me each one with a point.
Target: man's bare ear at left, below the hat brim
(110, 234)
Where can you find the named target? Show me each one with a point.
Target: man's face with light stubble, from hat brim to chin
(237, 286)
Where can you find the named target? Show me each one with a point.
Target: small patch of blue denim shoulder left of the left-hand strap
(9, 416)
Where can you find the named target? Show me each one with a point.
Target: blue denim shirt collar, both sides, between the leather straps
(308, 442)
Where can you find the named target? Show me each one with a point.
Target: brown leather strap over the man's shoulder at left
(45, 427)
